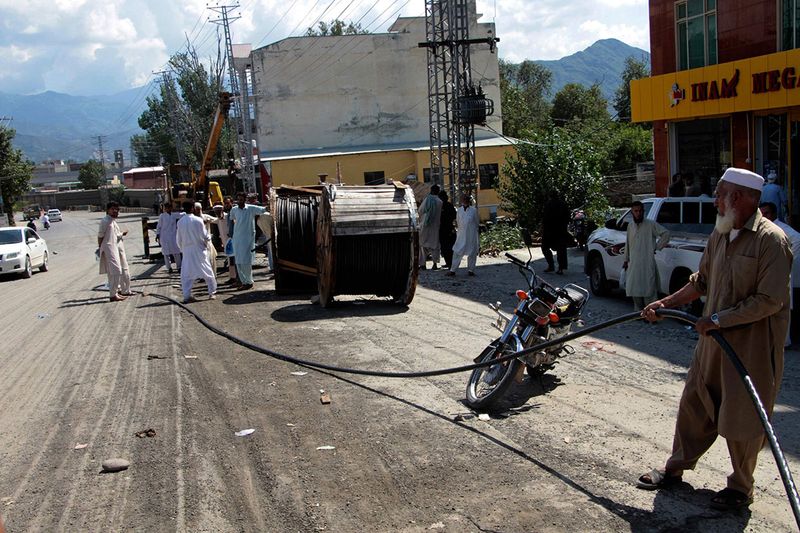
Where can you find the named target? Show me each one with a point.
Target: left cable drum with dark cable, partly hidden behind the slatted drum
(294, 238)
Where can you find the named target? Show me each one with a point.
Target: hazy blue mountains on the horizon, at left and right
(53, 125)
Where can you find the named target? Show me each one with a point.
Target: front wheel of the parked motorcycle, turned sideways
(488, 384)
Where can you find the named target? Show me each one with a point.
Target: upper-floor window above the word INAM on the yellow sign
(696, 33)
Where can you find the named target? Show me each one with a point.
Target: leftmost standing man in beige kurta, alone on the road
(112, 254)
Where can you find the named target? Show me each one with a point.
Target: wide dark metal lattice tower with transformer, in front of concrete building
(452, 129)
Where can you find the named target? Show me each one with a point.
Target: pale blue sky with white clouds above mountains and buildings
(86, 47)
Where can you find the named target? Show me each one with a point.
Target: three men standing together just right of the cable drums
(448, 232)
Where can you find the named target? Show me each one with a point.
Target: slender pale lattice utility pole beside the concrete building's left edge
(241, 104)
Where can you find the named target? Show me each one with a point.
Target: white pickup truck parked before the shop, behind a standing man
(689, 220)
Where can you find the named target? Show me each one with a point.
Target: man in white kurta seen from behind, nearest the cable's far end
(193, 239)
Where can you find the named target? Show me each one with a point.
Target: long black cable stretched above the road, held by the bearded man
(780, 458)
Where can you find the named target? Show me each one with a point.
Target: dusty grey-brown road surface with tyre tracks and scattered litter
(81, 376)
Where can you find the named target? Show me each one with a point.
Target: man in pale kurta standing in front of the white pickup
(643, 239)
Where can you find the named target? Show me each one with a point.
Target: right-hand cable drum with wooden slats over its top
(367, 242)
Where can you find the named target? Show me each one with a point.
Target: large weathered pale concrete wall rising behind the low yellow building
(312, 94)
